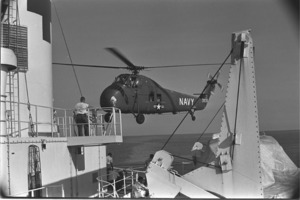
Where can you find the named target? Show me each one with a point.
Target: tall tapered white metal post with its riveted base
(237, 171)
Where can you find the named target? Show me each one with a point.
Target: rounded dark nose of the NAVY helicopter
(110, 97)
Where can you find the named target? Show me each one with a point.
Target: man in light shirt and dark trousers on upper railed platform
(81, 118)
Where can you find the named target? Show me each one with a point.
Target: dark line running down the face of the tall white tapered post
(237, 96)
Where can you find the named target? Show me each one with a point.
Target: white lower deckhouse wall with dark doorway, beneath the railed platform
(68, 162)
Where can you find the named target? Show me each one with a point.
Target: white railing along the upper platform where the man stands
(60, 122)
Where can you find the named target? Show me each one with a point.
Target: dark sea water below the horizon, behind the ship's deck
(136, 149)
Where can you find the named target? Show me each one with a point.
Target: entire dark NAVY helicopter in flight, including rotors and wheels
(139, 95)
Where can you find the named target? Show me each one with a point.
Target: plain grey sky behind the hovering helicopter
(172, 32)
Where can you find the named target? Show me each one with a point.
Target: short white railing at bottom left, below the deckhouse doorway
(44, 190)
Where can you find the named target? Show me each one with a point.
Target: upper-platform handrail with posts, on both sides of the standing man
(61, 121)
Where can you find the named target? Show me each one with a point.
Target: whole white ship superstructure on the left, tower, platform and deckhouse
(41, 152)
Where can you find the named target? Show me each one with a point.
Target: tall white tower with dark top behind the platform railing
(37, 18)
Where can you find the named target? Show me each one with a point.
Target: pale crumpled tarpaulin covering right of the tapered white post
(280, 175)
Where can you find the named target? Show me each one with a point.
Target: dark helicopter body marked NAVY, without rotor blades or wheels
(139, 94)
